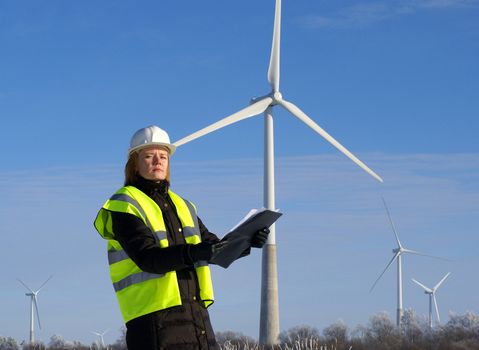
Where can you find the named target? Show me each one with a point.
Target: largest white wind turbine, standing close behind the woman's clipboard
(269, 318)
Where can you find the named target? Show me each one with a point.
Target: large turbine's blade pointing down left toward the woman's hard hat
(250, 111)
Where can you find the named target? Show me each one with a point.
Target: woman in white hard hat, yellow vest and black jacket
(158, 252)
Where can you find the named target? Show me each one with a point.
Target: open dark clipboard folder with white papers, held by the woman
(238, 239)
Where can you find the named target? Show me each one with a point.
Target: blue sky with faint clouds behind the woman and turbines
(395, 81)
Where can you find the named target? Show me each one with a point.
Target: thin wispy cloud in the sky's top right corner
(366, 14)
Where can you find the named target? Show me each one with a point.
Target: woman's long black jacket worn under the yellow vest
(184, 327)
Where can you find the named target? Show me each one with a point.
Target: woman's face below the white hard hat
(152, 163)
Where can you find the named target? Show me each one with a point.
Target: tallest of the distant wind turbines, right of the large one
(398, 256)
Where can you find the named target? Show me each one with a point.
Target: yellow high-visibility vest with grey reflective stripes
(139, 292)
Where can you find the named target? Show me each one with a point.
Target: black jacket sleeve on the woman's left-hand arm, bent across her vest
(139, 243)
